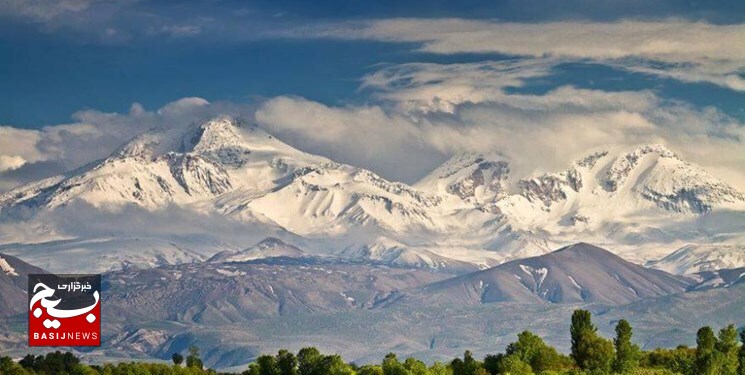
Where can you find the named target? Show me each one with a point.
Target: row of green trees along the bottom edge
(715, 354)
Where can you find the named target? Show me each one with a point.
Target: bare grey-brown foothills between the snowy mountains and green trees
(235, 309)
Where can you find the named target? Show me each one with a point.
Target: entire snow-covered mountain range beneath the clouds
(224, 182)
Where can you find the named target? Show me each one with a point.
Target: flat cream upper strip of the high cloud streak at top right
(671, 41)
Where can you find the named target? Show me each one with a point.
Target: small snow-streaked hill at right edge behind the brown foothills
(692, 258)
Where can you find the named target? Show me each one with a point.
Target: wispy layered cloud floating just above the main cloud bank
(442, 87)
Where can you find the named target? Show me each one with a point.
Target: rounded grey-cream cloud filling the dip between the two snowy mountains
(365, 136)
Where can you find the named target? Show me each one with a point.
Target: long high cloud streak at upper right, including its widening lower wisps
(691, 51)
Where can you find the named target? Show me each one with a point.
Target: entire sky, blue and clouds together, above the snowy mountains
(72, 69)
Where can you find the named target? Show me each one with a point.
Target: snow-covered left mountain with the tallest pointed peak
(229, 168)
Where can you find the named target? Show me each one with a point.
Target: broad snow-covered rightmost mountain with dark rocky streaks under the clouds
(642, 202)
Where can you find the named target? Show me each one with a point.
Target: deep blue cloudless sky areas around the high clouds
(52, 68)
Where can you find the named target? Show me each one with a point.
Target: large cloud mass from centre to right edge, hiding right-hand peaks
(429, 111)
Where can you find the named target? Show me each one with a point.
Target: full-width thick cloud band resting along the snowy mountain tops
(420, 115)
